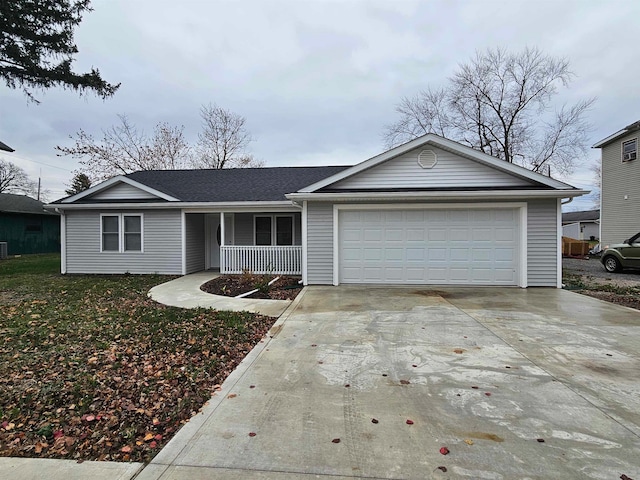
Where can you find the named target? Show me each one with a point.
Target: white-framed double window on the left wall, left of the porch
(121, 232)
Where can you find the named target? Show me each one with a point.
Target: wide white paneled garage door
(425, 246)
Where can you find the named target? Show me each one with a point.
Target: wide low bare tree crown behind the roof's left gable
(125, 149)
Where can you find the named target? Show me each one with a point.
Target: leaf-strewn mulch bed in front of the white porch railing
(285, 288)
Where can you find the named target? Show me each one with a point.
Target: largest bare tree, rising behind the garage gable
(500, 103)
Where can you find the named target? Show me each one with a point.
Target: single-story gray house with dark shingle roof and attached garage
(431, 211)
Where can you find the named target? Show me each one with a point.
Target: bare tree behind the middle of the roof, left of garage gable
(223, 141)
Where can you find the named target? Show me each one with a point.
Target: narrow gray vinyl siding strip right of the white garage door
(542, 243)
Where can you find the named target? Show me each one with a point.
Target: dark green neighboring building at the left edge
(26, 226)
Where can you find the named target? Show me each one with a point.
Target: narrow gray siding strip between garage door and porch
(319, 243)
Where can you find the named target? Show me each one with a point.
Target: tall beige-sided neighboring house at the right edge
(619, 189)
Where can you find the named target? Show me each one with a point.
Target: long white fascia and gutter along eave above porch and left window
(191, 207)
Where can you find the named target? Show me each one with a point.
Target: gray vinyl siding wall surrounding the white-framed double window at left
(162, 244)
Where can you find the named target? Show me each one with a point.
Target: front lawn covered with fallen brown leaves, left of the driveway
(92, 369)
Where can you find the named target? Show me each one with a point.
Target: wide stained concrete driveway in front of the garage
(536, 383)
